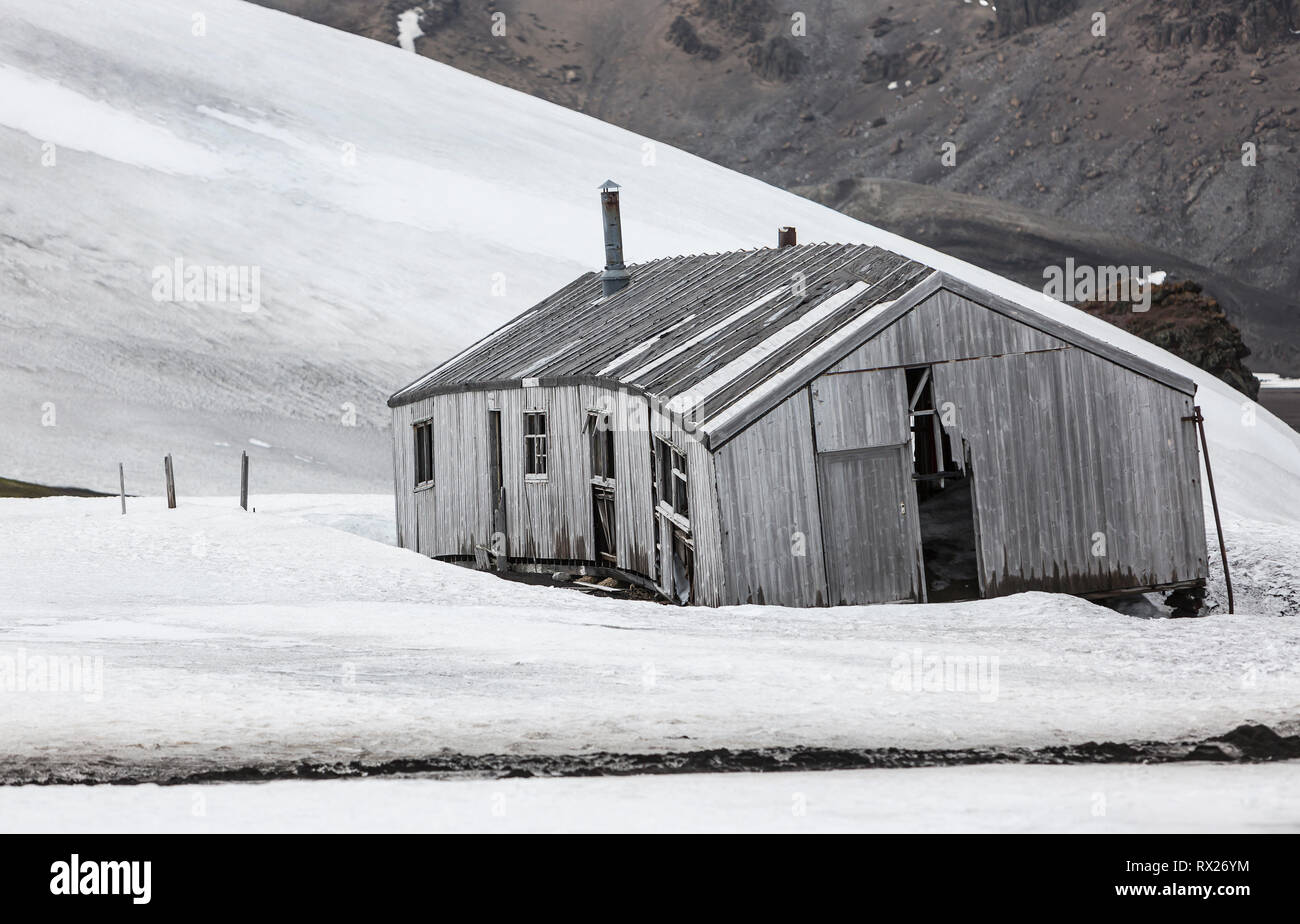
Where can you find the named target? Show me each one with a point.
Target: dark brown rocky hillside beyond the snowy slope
(1173, 124)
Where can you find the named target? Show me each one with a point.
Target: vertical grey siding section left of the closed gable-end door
(768, 498)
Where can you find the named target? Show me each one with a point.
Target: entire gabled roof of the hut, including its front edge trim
(721, 337)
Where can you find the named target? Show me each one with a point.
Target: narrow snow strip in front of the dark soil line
(1260, 799)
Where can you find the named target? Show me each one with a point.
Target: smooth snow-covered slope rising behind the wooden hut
(384, 199)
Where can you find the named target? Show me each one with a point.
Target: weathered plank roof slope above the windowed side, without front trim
(683, 322)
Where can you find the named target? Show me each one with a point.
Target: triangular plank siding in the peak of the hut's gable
(943, 328)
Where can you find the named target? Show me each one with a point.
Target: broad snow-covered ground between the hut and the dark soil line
(232, 639)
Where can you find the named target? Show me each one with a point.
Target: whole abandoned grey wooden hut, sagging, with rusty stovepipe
(805, 426)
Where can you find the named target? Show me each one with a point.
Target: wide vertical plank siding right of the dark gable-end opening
(1067, 446)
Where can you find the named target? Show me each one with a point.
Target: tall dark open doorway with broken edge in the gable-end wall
(944, 497)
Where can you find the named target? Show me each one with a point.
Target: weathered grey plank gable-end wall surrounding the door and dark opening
(1065, 445)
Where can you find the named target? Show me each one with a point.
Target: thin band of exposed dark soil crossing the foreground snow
(1246, 744)
